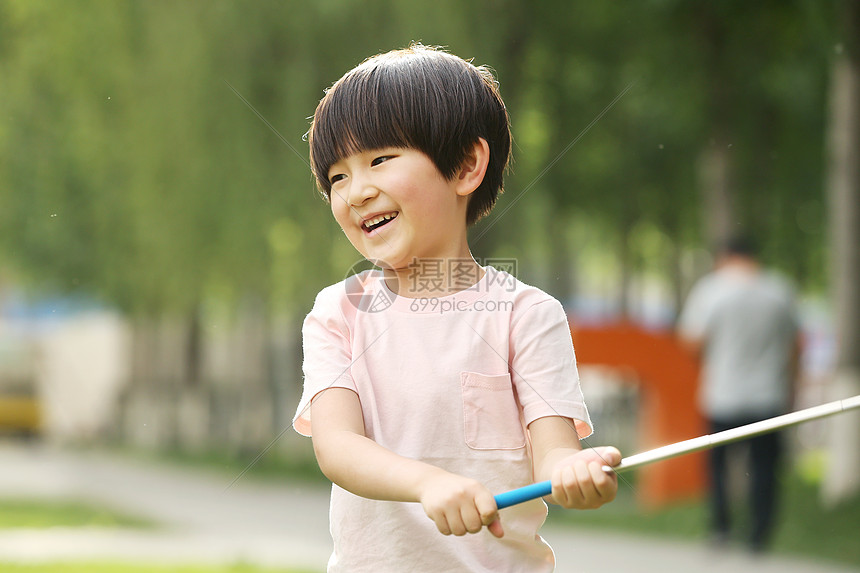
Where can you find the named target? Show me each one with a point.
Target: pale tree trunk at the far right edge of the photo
(843, 187)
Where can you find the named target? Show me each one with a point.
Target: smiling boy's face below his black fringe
(395, 206)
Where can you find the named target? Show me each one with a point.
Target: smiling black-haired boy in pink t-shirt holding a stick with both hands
(434, 380)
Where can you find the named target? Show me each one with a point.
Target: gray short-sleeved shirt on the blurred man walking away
(746, 320)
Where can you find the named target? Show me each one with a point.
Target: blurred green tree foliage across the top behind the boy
(131, 170)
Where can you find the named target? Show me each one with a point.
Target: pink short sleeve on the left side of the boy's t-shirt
(327, 355)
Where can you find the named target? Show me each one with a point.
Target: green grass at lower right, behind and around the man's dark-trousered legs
(804, 527)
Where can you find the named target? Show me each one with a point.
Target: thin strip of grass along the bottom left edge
(109, 567)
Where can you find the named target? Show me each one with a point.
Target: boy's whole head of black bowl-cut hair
(421, 98)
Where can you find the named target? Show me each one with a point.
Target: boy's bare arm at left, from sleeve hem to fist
(358, 464)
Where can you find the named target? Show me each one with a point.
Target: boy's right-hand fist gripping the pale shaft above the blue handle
(579, 482)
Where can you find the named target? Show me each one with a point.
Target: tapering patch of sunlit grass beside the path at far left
(22, 513)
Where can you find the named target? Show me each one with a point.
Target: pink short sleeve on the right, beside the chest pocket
(543, 366)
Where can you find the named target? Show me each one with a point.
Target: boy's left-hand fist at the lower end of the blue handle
(460, 505)
